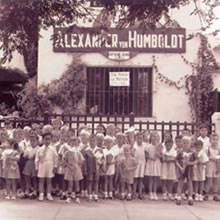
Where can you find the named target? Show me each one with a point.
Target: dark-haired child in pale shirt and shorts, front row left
(46, 165)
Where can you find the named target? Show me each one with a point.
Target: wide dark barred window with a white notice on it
(119, 99)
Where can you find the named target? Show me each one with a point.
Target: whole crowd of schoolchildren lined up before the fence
(52, 161)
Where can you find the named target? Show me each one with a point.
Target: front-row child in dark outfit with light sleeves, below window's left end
(93, 160)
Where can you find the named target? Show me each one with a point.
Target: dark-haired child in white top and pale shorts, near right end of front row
(199, 170)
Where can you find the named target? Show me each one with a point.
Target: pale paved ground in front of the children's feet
(107, 210)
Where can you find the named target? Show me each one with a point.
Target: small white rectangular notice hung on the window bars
(119, 78)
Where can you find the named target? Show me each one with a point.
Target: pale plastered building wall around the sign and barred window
(169, 103)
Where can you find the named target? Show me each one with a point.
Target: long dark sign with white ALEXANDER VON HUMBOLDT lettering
(149, 41)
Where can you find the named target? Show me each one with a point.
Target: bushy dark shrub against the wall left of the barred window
(66, 93)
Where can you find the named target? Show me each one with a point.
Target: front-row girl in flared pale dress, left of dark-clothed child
(73, 161)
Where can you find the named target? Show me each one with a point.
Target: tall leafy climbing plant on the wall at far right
(200, 85)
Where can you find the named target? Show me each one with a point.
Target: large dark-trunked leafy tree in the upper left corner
(21, 21)
